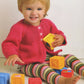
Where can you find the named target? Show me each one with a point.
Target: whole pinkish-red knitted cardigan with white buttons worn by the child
(25, 40)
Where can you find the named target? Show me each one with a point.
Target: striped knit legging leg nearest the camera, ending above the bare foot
(41, 70)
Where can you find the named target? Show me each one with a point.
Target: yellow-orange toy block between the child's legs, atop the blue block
(57, 62)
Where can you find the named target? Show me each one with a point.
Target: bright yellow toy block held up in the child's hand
(48, 40)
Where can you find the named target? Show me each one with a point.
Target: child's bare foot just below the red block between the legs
(72, 80)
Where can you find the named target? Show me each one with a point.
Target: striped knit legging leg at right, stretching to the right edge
(74, 63)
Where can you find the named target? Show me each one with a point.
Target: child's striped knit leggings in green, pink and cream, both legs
(48, 74)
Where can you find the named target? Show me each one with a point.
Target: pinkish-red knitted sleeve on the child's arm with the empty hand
(11, 44)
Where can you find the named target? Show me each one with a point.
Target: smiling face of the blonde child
(33, 13)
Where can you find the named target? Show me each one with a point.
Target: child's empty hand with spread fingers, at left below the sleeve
(12, 59)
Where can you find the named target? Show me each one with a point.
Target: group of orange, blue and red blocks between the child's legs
(58, 63)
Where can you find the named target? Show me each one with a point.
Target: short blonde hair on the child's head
(44, 2)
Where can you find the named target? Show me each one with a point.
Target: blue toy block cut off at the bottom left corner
(4, 78)
